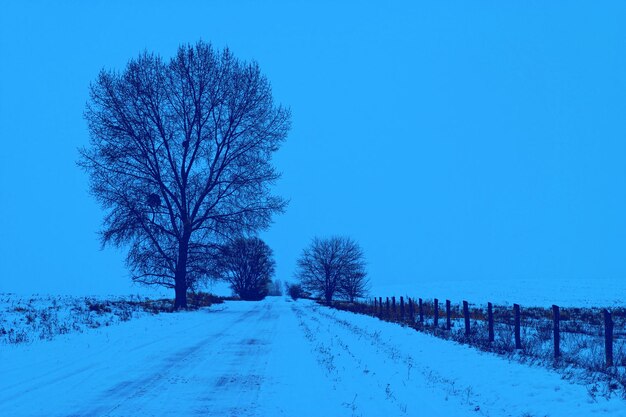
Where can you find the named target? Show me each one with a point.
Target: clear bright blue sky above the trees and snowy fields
(452, 140)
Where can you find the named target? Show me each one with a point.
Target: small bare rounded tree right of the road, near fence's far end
(327, 265)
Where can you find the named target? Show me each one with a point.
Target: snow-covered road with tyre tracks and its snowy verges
(276, 358)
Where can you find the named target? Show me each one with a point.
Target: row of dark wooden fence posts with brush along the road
(589, 337)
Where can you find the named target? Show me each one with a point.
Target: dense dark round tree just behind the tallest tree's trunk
(248, 265)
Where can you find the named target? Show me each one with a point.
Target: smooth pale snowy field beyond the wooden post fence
(528, 292)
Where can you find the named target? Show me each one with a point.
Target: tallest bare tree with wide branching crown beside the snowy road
(179, 159)
